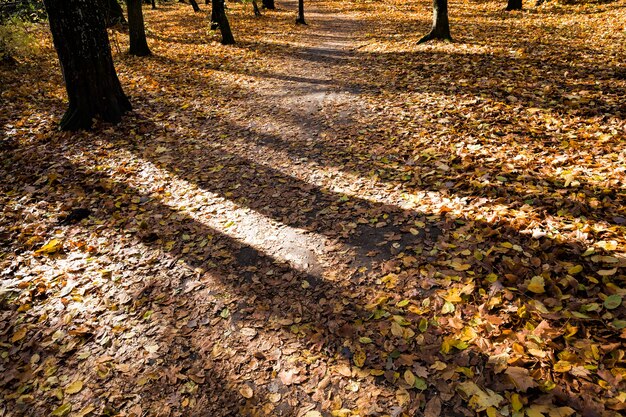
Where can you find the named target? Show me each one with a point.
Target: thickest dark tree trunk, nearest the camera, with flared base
(82, 43)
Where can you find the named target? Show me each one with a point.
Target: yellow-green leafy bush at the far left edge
(17, 39)
